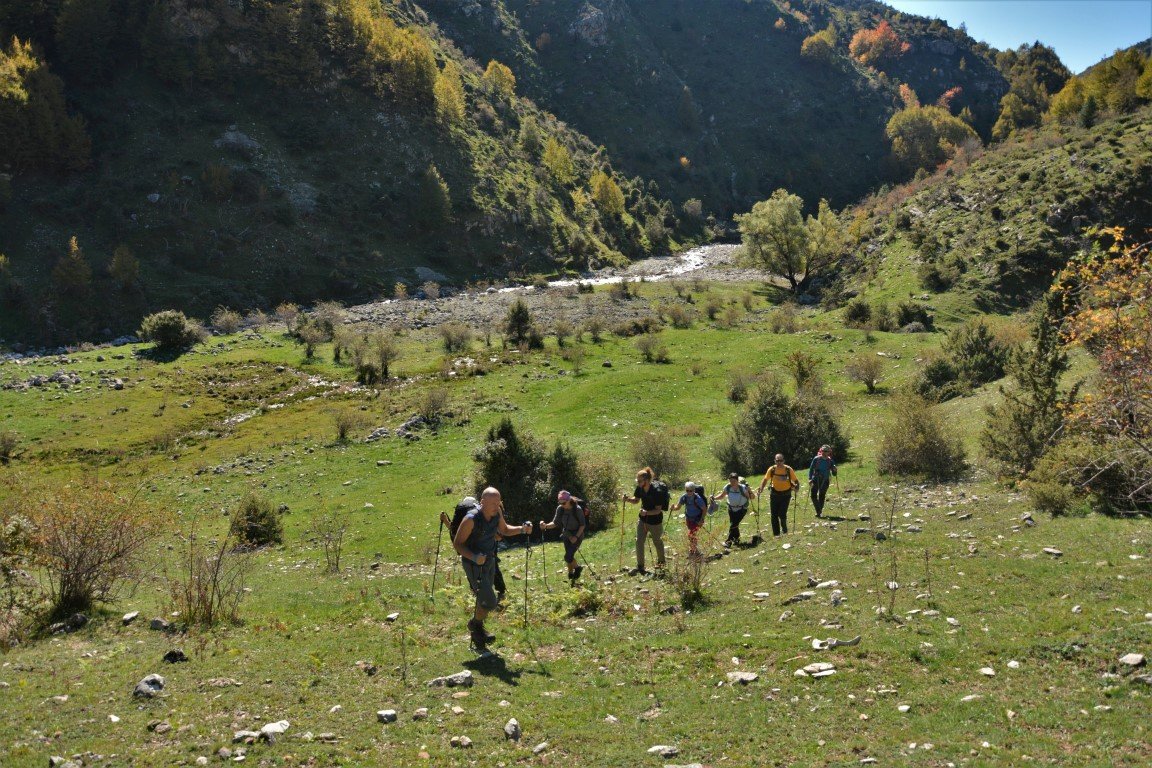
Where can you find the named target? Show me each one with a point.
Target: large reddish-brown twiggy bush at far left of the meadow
(89, 541)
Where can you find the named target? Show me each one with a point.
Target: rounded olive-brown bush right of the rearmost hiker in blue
(916, 443)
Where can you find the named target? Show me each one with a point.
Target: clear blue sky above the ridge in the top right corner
(1082, 32)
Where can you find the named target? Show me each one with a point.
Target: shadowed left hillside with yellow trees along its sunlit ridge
(247, 157)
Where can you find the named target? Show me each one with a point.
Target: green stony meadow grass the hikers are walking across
(562, 675)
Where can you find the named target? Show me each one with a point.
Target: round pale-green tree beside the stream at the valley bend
(778, 239)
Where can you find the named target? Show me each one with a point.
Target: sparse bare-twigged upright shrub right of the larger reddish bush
(209, 584)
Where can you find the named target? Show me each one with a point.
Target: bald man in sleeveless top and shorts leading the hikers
(476, 542)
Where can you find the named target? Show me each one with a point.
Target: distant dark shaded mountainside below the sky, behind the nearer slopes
(715, 101)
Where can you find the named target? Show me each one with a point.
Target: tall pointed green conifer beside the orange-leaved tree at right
(1032, 416)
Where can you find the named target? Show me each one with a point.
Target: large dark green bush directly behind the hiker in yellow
(770, 423)
